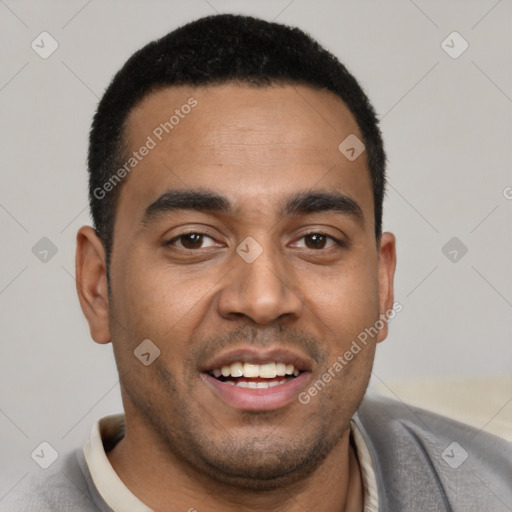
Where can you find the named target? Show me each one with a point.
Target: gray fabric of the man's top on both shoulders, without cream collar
(406, 445)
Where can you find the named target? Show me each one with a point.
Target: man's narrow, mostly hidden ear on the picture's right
(387, 265)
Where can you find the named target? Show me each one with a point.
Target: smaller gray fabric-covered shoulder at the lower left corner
(62, 487)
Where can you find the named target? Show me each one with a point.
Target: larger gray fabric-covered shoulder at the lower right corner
(415, 451)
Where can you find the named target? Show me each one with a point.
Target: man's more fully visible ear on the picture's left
(91, 283)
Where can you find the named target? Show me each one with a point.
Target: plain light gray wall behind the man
(447, 127)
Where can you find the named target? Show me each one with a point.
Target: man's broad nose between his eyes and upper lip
(264, 290)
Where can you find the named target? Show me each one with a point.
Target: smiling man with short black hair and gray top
(239, 268)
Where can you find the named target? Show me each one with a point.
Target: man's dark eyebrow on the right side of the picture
(313, 202)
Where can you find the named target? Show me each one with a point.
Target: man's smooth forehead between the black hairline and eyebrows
(246, 142)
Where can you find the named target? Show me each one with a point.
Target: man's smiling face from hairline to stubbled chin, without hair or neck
(280, 268)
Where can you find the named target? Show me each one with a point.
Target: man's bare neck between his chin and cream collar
(165, 483)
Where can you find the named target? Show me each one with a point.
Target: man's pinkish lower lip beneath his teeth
(265, 399)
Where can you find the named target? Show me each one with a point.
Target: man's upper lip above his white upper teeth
(256, 355)
